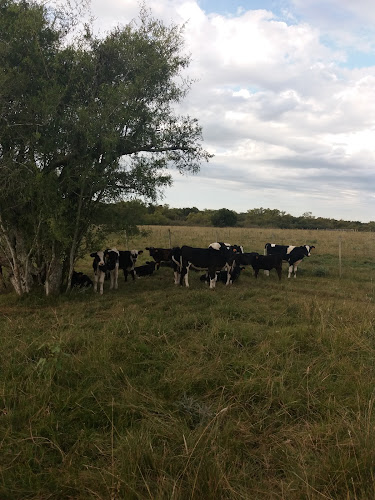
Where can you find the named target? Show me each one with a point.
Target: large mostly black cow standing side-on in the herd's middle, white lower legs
(207, 259)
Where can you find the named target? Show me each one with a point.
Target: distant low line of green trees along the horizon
(136, 213)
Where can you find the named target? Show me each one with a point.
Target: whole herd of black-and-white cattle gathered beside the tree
(220, 261)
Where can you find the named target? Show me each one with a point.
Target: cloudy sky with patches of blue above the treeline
(285, 93)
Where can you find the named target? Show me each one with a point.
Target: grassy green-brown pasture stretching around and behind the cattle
(260, 390)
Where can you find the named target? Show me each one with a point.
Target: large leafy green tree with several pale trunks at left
(83, 120)
